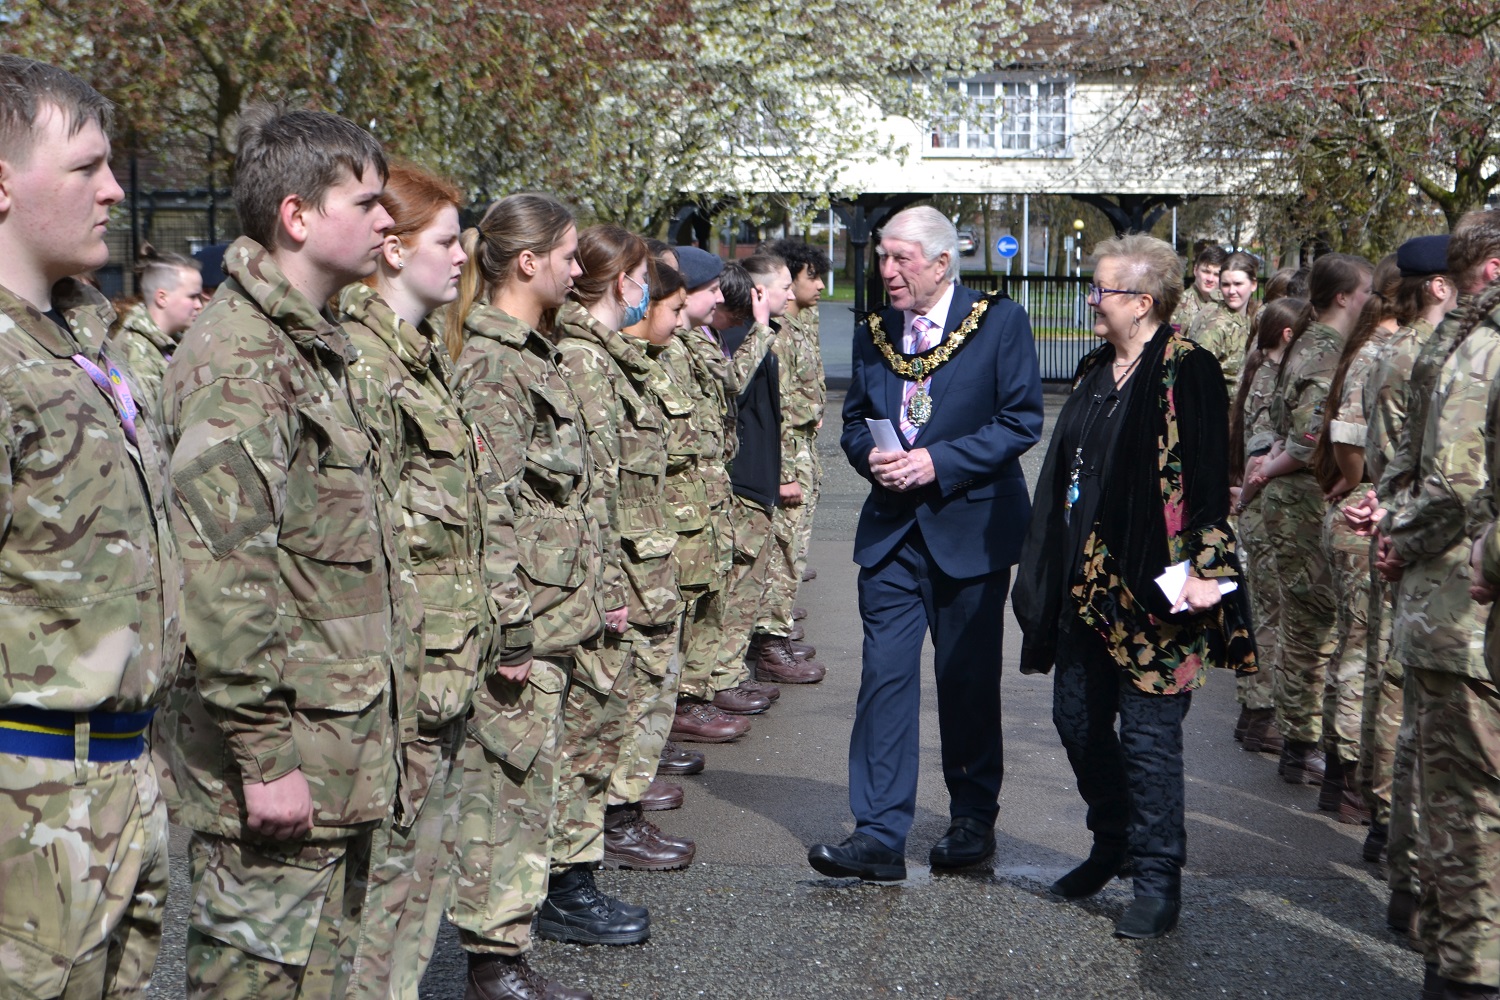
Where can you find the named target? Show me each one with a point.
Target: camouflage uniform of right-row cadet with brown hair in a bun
(1294, 516)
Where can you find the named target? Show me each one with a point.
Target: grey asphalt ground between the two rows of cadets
(1277, 902)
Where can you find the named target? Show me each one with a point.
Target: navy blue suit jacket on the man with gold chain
(986, 415)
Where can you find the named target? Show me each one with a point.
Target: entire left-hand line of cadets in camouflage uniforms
(392, 570)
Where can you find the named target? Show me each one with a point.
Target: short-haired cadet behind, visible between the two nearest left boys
(172, 299)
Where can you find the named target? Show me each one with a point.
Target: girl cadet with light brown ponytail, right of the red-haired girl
(541, 478)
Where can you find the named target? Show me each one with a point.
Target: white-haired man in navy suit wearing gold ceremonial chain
(943, 525)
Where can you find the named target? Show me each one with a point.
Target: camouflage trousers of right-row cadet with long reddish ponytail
(1345, 683)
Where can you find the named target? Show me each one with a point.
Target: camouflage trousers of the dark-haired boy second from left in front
(275, 918)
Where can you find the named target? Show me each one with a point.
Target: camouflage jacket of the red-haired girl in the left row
(430, 481)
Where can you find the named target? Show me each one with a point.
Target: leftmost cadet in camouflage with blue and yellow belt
(91, 635)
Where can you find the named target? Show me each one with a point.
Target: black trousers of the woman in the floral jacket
(1132, 779)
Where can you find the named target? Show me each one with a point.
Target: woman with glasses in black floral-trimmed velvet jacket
(1136, 482)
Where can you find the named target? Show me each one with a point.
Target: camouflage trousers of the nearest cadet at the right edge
(1459, 857)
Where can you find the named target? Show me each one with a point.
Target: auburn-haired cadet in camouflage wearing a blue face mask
(613, 377)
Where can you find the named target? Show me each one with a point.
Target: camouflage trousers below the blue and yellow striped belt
(83, 878)
